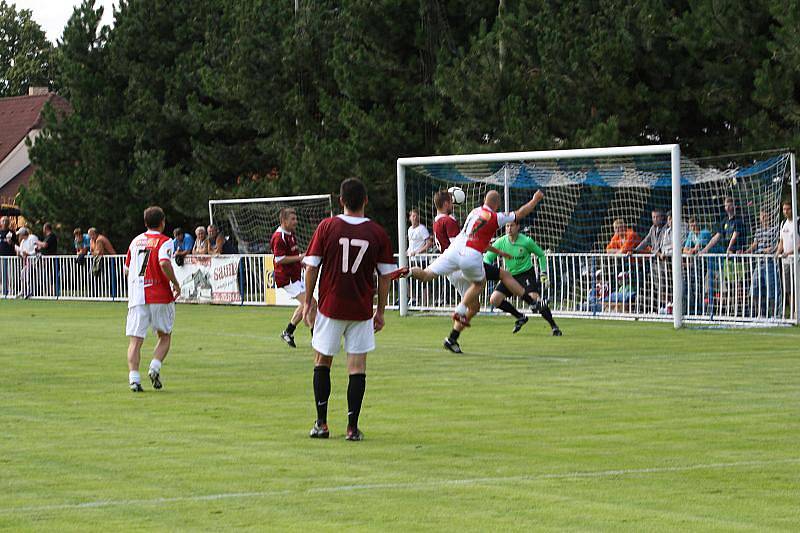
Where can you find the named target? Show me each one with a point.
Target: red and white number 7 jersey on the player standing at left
(147, 283)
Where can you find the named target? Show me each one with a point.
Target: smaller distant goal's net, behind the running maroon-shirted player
(250, 222)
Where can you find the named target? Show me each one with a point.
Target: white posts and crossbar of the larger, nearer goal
(673, 150)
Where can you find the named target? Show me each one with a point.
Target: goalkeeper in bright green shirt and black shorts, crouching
(520, 248)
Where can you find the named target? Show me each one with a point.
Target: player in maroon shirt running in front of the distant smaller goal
(289, 269)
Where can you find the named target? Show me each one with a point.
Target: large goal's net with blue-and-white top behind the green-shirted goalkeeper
(589, 193)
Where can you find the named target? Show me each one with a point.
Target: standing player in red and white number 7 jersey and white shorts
(151, 301)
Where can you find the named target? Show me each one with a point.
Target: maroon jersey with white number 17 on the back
(349, 250)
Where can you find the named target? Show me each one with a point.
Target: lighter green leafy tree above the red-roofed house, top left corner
(25, 52)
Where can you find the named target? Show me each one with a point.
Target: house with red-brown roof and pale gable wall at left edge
(20, 119)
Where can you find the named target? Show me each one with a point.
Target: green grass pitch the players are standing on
(615, 426)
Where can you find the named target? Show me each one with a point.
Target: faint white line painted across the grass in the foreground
(414, 485)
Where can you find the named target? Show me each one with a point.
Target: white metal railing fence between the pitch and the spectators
(740, 288)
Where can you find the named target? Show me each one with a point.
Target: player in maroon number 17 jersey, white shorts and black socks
(350, 249)
